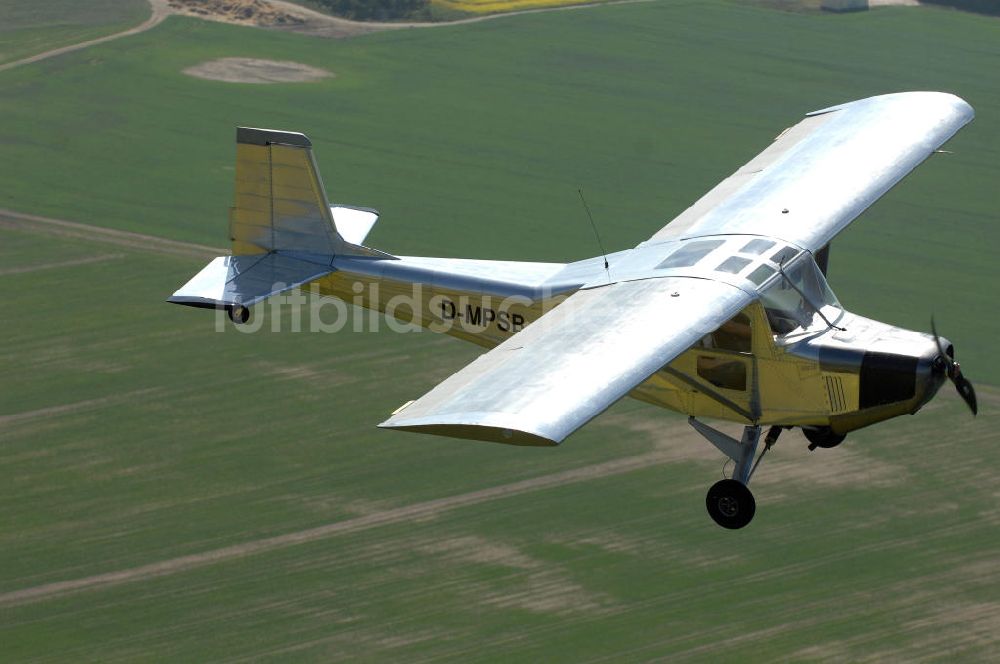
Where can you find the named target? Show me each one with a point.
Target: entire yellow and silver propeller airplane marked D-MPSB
(724, 313)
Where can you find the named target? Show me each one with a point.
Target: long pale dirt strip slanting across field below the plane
(421, 510)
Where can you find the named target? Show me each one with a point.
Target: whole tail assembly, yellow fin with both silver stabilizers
(281, 225)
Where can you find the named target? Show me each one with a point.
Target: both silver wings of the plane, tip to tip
(575, 361)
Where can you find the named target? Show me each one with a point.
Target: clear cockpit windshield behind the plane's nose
(798, 299)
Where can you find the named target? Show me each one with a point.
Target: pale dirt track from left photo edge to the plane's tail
(61, 228)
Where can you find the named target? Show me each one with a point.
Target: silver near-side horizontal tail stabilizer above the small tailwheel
(245, 280)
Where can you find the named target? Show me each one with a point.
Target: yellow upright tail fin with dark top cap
(280, 203)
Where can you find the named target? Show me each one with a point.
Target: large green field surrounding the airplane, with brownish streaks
(173, 493)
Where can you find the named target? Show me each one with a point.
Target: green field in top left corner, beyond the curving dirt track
(28, 26)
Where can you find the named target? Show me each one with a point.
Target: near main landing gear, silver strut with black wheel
(730, 502)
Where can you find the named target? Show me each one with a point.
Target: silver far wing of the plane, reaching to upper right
(819, 175)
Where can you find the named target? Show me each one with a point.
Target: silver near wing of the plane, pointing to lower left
(574, 362)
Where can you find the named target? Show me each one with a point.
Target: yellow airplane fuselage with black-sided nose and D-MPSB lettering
(765, 366)
